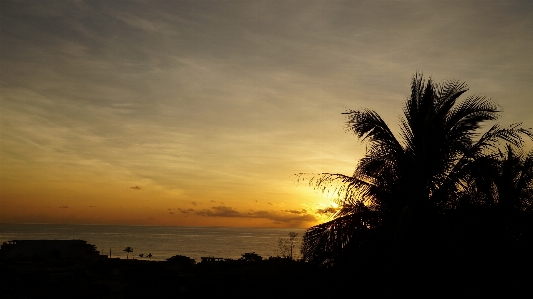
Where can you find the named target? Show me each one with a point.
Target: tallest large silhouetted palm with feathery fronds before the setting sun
(401, 188)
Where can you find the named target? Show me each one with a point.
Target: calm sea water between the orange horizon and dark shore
(161, 241)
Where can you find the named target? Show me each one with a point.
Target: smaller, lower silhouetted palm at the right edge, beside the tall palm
(495, 216)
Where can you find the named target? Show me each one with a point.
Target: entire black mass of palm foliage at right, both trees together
(421, 196)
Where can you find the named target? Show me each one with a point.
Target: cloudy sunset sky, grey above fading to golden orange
(201, 112)
